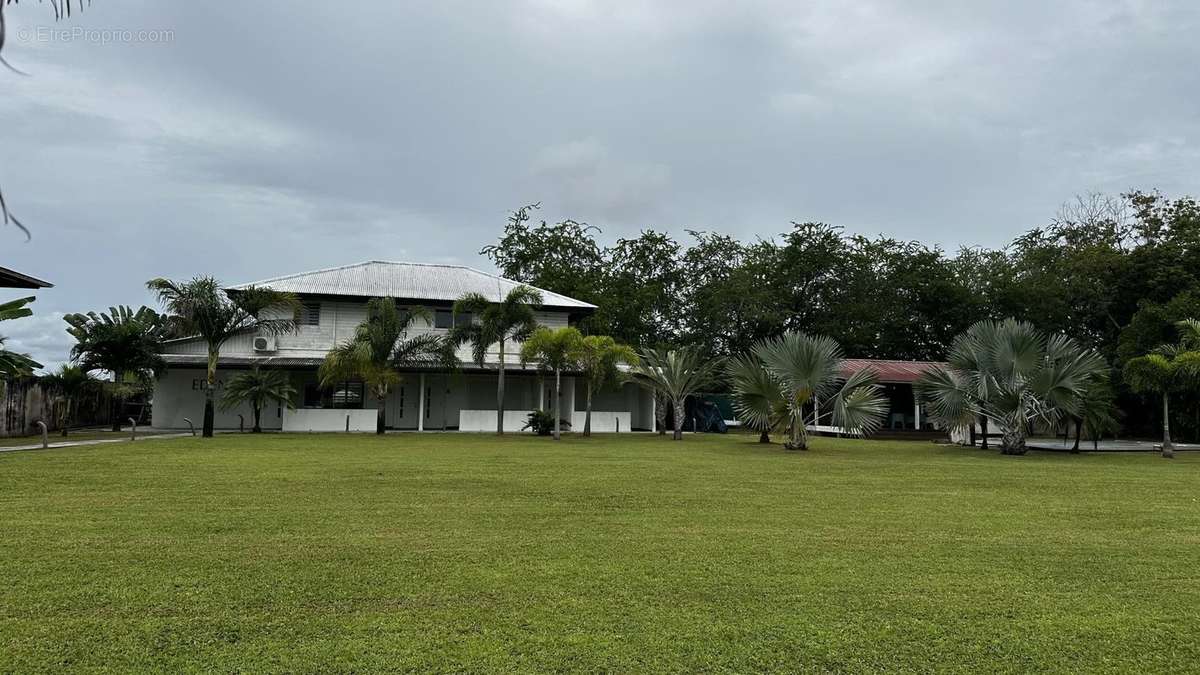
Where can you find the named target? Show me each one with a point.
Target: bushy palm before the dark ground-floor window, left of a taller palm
(381, 349)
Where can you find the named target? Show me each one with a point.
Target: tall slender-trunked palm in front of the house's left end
(203, 309)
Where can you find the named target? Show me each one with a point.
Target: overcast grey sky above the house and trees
(271, 138)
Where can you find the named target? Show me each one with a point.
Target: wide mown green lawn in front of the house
(471, 553)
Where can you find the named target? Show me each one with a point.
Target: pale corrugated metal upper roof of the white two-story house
(416, 282)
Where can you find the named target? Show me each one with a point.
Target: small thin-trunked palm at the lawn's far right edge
(1171, 368)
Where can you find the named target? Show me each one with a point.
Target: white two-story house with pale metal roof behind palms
(334, 303)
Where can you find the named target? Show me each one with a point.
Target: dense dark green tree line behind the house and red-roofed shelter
(1115, 273)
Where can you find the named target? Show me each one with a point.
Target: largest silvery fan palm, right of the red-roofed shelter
(1012, 374)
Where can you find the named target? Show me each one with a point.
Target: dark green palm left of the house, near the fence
(124, 343)
